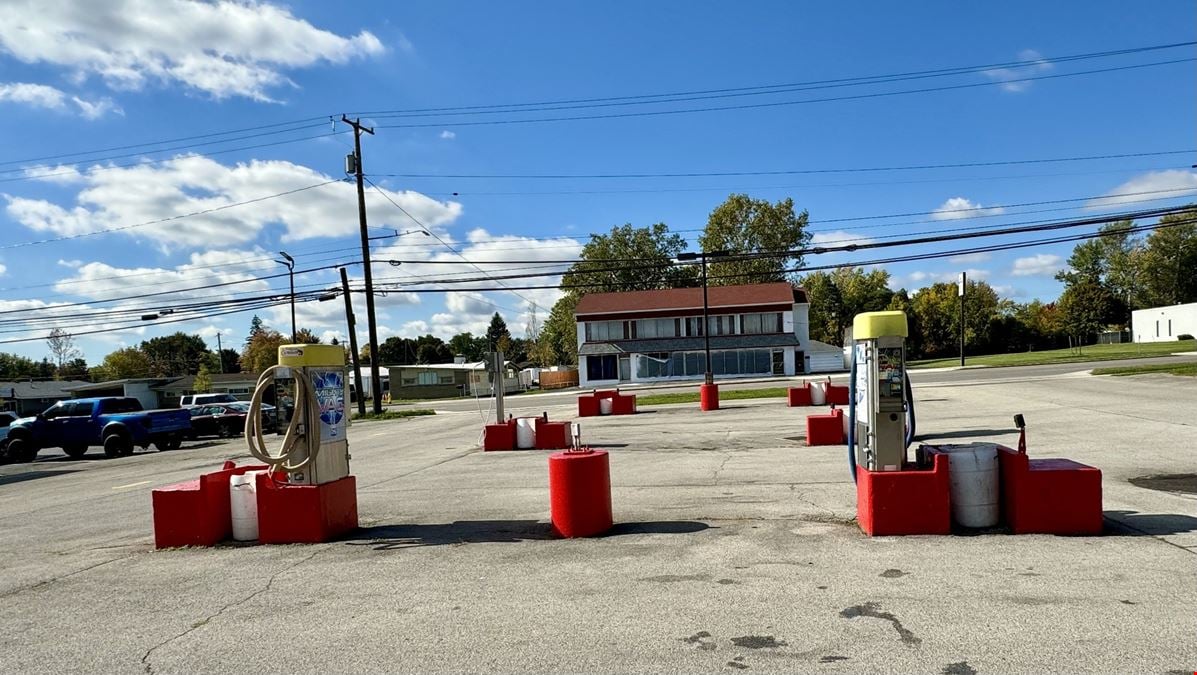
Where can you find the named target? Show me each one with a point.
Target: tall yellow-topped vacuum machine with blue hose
(882, 410)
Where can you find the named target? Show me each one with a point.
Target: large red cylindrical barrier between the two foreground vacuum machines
(580, 494)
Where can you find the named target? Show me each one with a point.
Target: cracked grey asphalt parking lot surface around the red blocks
(736, 549)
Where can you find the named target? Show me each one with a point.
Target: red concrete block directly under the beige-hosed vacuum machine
(306, 514)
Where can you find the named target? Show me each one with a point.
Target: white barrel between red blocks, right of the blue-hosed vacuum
(974, 481)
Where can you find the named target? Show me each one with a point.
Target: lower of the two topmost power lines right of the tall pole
(780, 104)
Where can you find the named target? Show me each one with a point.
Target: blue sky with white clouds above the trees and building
(88, 77)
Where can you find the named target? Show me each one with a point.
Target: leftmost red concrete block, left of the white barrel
(196, 513)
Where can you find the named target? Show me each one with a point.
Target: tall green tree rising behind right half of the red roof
(746, 226)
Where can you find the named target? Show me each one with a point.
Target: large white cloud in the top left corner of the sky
(222, 48)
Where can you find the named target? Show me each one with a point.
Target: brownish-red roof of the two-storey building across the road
(777, 294)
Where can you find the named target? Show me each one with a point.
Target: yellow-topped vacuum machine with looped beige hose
(315, 448)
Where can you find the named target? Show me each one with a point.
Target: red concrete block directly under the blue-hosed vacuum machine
(904, 503)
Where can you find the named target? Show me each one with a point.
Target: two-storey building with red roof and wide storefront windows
(757, 330)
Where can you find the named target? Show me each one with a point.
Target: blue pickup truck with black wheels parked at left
(117, 424)
